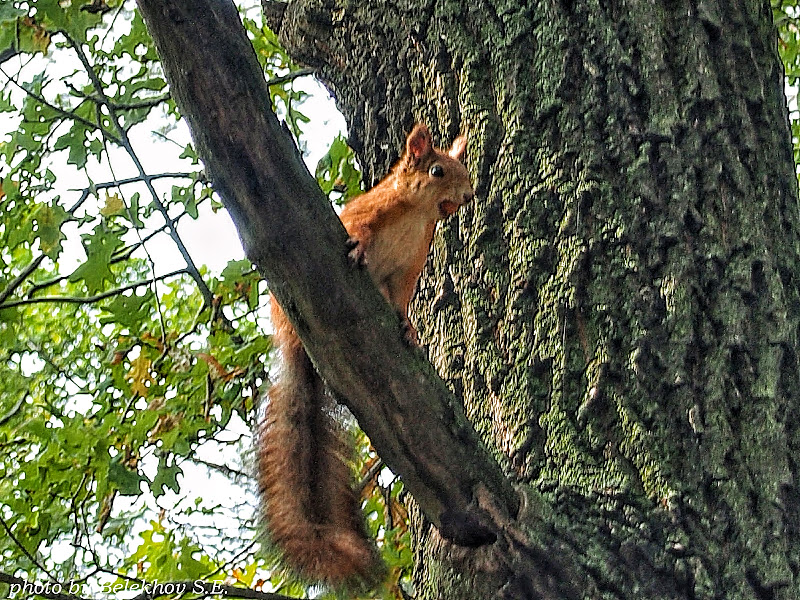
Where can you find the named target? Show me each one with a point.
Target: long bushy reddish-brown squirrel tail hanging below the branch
(312, 512)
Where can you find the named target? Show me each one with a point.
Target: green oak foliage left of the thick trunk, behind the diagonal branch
(129, 373)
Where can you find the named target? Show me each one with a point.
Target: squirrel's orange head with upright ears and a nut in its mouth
(438, 179)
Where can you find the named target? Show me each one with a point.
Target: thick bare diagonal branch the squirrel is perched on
(290, 231)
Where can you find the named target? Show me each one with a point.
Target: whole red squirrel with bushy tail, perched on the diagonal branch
(312, 511)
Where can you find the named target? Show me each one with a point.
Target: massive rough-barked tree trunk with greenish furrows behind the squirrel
(618, 310)
